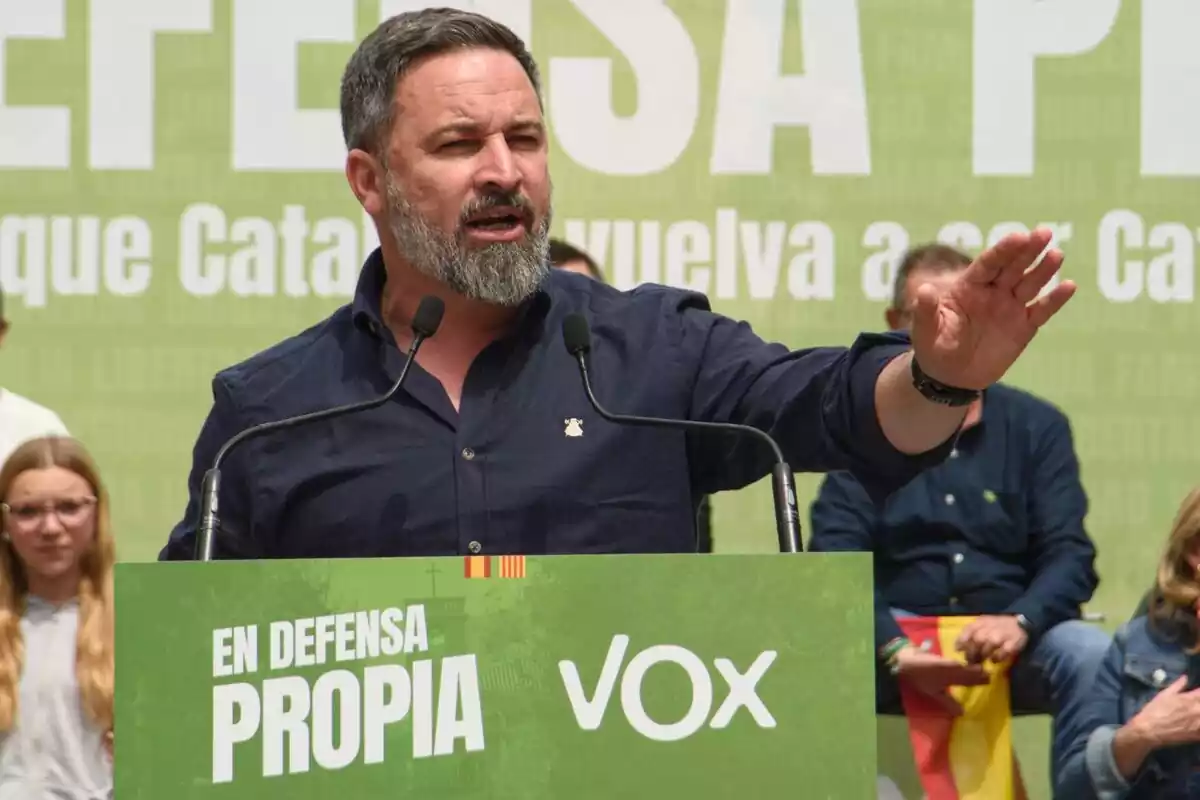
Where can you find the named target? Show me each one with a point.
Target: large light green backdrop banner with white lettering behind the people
(172, 200)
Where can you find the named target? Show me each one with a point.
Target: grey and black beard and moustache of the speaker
(503, 274)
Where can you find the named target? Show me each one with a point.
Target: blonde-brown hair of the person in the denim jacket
(1173, 605)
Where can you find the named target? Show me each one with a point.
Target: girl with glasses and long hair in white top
(57, 556)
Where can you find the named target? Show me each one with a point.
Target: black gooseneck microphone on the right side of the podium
(788, 520)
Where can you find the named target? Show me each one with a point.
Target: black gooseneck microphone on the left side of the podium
(425, 324)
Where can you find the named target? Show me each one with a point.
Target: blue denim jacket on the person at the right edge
(1143, 660)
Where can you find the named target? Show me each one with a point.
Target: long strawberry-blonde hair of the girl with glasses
(94, 643)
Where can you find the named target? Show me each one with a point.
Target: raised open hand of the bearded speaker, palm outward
(969, 335)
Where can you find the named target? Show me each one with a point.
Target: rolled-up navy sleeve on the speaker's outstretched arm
(818, 404)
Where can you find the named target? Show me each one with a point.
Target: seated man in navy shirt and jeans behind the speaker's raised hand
(997, 532)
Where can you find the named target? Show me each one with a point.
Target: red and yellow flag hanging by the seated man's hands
(969, 757)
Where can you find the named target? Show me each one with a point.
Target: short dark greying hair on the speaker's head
(369, 85)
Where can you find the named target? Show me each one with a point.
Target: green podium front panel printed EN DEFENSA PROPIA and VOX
(497, 677)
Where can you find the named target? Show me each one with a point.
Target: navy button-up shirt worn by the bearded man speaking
(525, 466)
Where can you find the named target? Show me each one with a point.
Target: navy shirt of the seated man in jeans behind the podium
(997, 528)
